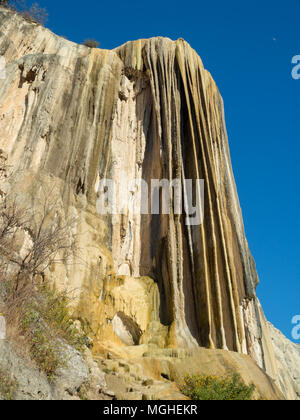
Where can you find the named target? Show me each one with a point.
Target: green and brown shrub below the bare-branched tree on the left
(38, 319)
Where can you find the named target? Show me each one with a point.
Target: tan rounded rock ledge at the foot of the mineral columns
(153, 374)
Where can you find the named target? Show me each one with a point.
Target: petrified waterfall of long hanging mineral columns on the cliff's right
(204, 272)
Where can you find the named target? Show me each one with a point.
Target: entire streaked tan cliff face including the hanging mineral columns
(71, 116)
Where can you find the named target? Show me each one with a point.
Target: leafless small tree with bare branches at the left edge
(51, 241)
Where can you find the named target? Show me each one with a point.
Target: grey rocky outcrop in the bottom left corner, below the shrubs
(78, 374)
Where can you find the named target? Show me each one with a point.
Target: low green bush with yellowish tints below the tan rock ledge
(231, 388)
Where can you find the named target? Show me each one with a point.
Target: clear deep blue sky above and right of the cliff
(248, 47)
